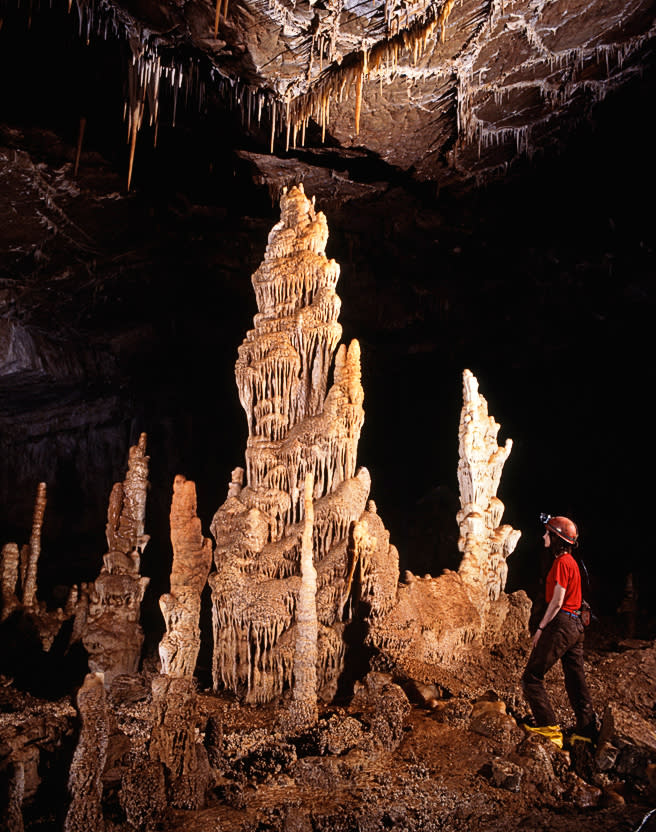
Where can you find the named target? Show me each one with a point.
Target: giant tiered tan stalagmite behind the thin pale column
(295, 428)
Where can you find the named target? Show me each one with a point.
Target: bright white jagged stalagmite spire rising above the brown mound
(484, 542)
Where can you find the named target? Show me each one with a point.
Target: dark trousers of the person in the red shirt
(562, 639)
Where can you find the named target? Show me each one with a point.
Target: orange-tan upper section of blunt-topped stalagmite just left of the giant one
(192, 559)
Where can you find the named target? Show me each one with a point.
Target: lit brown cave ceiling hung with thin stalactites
(448, 92)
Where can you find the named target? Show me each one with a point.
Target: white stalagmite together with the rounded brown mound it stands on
(438, 620)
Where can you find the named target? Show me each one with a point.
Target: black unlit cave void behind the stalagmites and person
(540, 282)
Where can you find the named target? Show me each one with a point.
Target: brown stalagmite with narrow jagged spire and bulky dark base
(110, 628)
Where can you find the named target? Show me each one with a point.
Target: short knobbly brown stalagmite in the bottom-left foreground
(85, 777)
